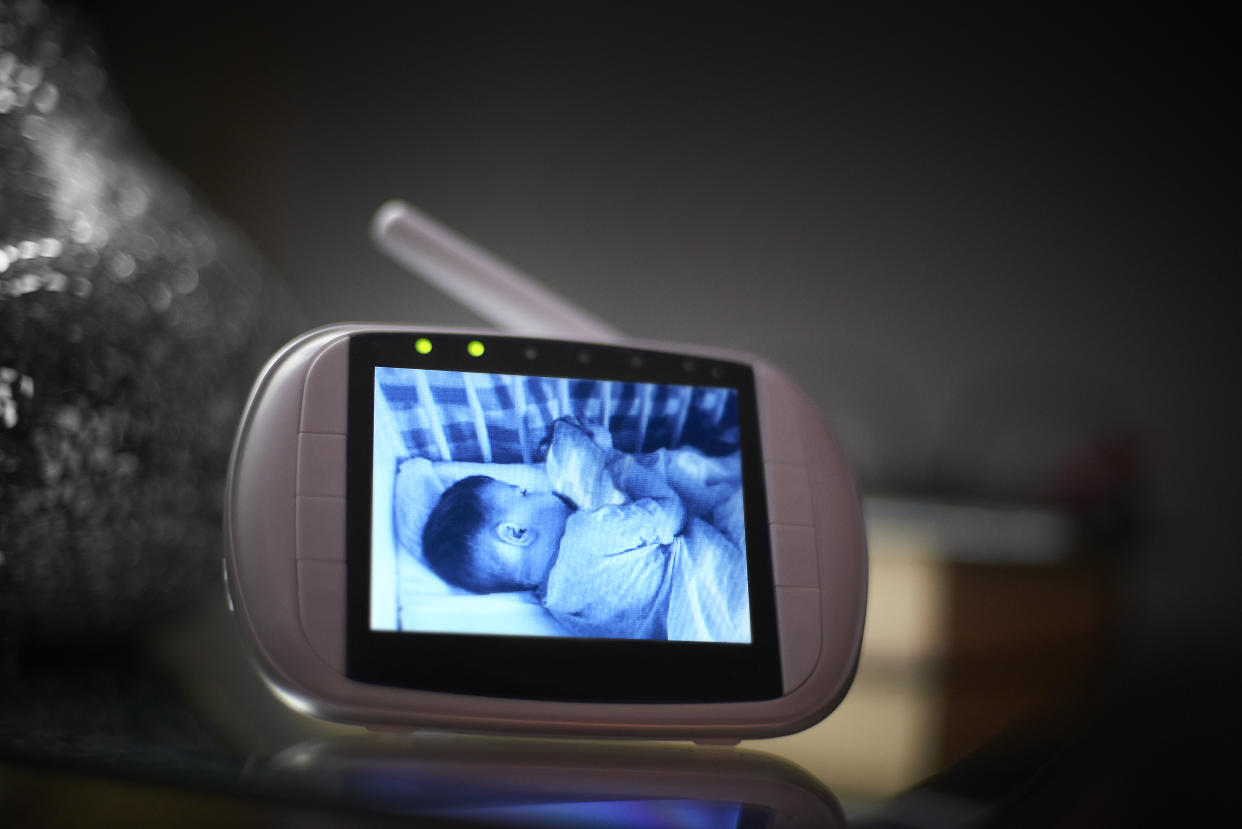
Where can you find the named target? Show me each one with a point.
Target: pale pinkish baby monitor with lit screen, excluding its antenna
(514, 534)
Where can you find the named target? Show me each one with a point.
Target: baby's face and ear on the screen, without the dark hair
(525, 530)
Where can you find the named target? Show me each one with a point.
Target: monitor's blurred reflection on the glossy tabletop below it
(555, 784)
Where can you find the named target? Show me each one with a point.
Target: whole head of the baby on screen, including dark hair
(489, 536)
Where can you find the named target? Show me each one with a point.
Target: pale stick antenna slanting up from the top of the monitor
(496, 291)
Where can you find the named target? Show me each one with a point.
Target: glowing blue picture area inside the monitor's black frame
(546, 506)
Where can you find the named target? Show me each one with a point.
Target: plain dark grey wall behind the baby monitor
(988, 243)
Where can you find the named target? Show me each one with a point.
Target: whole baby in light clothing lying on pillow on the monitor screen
(602, 550)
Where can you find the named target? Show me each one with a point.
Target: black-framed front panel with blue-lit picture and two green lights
(517, 505)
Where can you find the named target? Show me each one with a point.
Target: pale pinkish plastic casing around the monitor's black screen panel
(286, 565)
